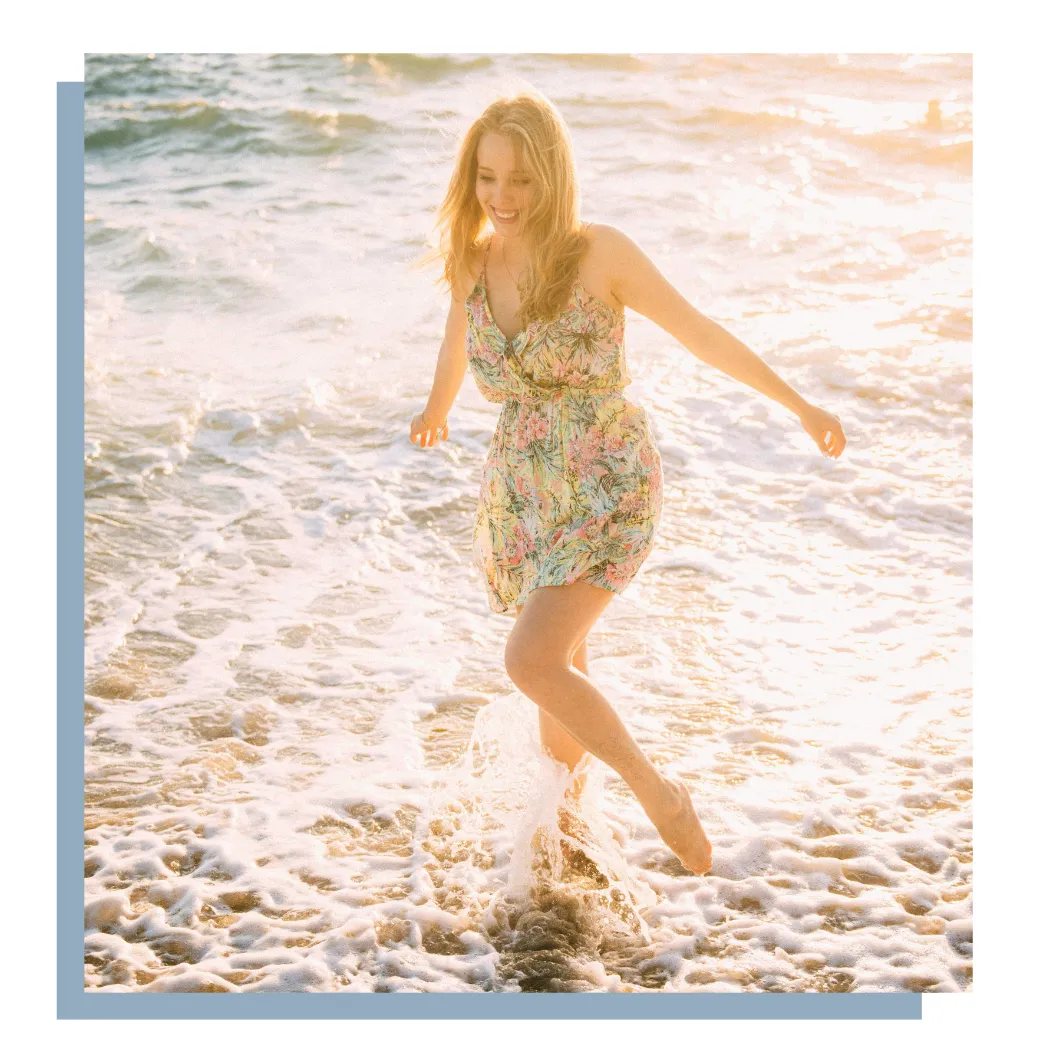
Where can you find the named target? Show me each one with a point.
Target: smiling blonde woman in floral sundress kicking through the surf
(571, 494)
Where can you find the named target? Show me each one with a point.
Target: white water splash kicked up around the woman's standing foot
(544, 869)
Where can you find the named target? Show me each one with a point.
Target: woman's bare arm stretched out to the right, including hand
(638, 284)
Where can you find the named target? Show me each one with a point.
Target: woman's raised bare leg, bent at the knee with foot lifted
(539, 659)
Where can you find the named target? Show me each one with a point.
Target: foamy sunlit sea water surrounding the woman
(307, 769)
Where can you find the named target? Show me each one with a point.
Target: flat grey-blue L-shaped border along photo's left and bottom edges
(73, 1002)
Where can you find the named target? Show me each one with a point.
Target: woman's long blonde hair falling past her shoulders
(553, 233)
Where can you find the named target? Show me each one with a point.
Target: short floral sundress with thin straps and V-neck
(571, 488)
